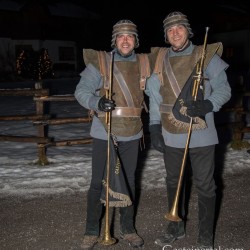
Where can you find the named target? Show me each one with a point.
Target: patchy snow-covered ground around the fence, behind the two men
(70, 168)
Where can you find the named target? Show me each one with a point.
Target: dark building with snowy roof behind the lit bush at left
(51, 25)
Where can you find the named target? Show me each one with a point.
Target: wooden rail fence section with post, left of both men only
(41, 120)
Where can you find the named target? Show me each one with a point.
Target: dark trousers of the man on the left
(128, 152)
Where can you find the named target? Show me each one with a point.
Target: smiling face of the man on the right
(177, 36)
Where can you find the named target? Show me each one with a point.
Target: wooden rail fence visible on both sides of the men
(41, 120)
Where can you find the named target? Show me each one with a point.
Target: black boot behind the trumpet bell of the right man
(175, 230)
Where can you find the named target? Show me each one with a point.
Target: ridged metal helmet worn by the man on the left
(124, 26)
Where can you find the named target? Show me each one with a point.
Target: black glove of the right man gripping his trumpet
(199, 108)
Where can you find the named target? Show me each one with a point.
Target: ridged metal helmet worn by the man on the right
(174, 18)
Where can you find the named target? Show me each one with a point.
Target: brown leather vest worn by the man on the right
(182, 67)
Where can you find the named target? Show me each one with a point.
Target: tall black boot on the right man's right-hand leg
(206, 222)
